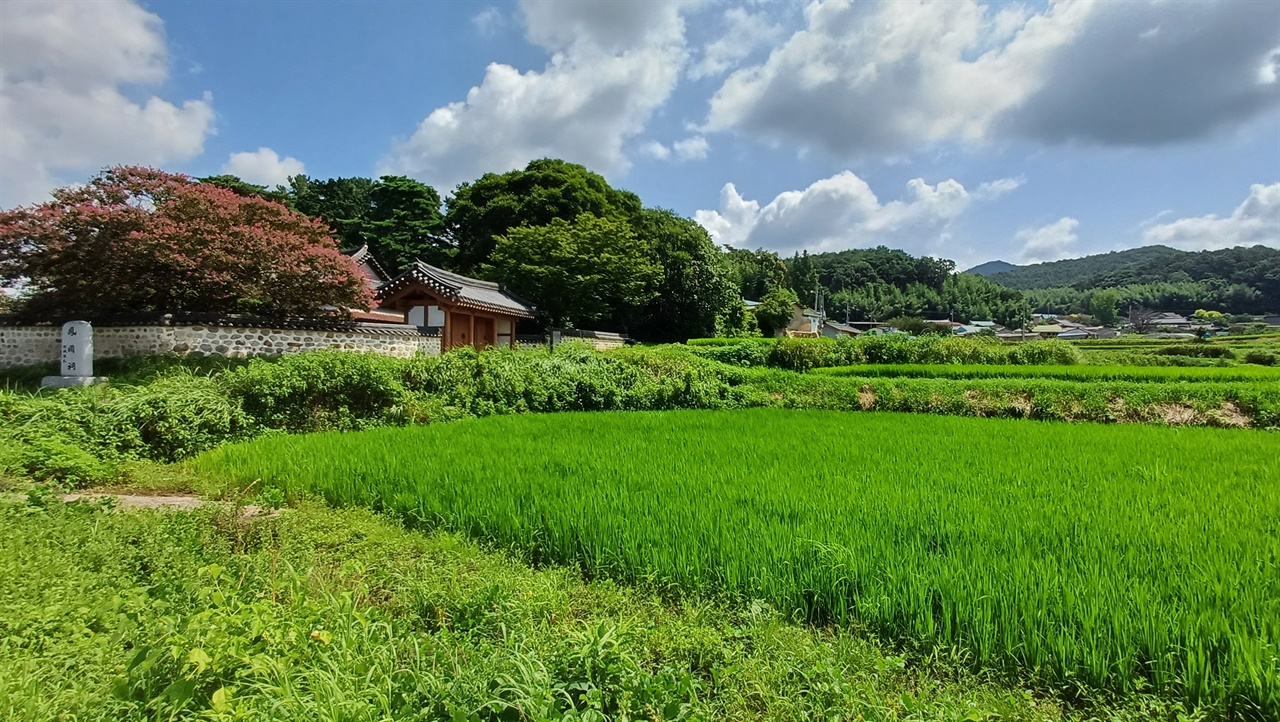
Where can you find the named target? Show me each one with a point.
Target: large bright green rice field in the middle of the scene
(1113, 558)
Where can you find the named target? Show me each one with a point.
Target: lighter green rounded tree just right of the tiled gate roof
(587, 272)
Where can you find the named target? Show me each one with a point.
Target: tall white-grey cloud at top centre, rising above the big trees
(612, 65)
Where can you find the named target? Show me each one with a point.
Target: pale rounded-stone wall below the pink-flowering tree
(22, 346)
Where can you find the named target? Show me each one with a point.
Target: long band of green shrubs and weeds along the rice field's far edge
(84, 437)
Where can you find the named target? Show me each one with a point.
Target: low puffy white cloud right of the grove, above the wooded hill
(843, 213)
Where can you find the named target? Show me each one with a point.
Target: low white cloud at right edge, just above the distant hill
(1252, 223)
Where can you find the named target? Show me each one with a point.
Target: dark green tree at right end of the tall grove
(694, 291)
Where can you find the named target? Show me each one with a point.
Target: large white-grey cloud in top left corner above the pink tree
(63, 115)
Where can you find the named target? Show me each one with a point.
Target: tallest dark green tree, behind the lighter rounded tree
(546, 190)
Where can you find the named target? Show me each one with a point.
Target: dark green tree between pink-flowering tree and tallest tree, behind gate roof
(404, 225)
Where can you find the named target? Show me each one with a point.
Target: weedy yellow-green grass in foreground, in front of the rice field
(339, 615)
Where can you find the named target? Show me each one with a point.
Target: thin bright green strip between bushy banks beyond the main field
(1153, 374)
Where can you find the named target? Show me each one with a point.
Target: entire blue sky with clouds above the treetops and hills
(964, 130)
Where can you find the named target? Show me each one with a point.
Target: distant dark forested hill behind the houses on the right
(1151, 264)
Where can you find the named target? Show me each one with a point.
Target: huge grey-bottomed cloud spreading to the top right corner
(883, 79)
